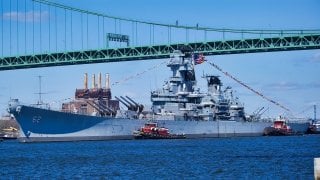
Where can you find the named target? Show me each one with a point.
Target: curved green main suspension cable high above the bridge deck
(176, 25)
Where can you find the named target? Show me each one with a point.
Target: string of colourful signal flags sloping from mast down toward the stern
(248, 87)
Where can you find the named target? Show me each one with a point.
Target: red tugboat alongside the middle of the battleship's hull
(152, 131)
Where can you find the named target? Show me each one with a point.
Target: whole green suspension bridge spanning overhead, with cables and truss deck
(41, 33)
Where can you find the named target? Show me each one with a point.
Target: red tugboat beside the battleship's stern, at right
(279, 128)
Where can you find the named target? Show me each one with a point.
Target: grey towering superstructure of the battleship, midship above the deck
(179, 99)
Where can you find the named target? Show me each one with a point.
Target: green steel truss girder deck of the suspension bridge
(298, 42)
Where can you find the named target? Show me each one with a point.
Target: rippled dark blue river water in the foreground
(219, 158)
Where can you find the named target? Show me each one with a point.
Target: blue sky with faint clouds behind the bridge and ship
(290, 78)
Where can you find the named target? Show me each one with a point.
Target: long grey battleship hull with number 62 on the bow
(47, 125)
